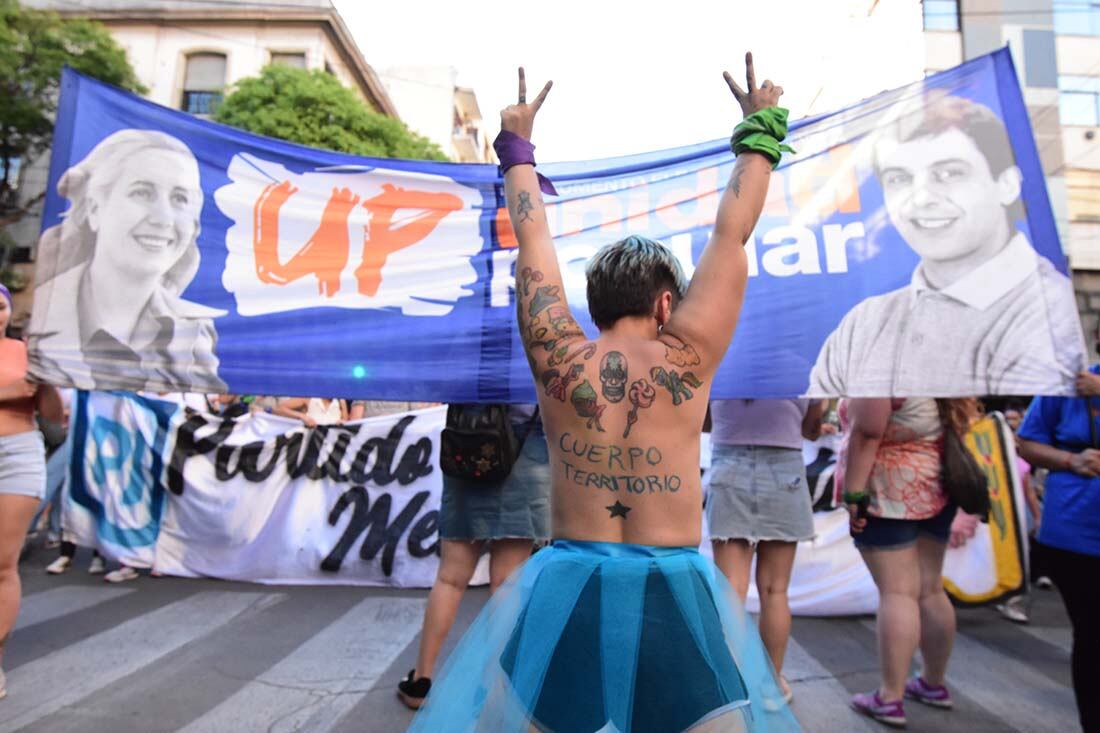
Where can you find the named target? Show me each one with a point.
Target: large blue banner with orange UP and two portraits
(908, 249)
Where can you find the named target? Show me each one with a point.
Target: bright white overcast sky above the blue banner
(634, 78)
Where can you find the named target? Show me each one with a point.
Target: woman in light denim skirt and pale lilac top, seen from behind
(758, 504)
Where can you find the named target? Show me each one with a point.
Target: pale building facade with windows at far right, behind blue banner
(1057, 50)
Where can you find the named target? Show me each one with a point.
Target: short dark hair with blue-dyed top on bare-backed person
(626, 278)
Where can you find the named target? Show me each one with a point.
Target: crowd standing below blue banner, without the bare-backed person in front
(758, 510)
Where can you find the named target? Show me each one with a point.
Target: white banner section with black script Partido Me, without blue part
(267, 501)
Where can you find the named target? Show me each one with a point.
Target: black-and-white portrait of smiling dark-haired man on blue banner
(985, 313)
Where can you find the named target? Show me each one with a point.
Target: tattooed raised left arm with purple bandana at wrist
(546, 324)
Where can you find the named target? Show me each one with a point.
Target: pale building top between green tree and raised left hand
(432, 103)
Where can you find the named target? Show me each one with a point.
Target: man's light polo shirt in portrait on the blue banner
(1010, 326)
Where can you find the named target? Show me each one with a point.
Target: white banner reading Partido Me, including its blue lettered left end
(258, 498)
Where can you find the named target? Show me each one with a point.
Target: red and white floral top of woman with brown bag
(905, 483)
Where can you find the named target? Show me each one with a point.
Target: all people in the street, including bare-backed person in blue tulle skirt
(619, 623)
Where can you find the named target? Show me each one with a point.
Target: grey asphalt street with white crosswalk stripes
(170, 654)
